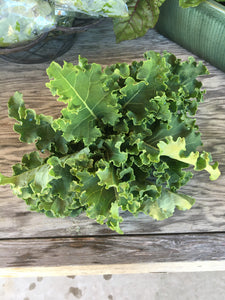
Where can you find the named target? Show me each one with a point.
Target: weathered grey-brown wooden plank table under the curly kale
(32, 244)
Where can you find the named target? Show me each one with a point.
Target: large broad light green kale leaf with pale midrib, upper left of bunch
(89, 100)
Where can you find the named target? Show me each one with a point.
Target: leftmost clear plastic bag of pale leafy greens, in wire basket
(24, 20)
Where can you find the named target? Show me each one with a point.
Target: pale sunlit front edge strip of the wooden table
(139, 268)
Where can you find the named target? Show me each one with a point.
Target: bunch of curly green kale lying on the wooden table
(123, 141)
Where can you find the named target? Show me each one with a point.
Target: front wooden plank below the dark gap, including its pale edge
(96, 255)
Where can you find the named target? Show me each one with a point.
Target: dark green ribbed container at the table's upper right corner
(200, 29)
